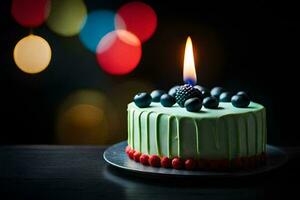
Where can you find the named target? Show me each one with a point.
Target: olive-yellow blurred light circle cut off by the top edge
(67, 17)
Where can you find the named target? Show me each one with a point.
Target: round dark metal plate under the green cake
(116, 156)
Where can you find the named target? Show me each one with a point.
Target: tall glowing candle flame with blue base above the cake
(189, 71)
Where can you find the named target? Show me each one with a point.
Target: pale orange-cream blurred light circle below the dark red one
(32, 54)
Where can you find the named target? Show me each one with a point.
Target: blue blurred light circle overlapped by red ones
(98, 24)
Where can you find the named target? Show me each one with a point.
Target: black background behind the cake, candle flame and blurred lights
(241, 45)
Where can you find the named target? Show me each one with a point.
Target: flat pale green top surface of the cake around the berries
(223, 110)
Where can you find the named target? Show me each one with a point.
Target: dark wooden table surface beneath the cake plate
(79, 172)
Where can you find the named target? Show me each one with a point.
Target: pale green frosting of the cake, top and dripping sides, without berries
(226, 133)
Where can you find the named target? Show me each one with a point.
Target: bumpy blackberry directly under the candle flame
(186, 92)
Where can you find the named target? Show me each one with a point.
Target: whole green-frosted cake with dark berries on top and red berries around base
(192, 128)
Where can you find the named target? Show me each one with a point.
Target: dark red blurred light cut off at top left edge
(30, 13)
